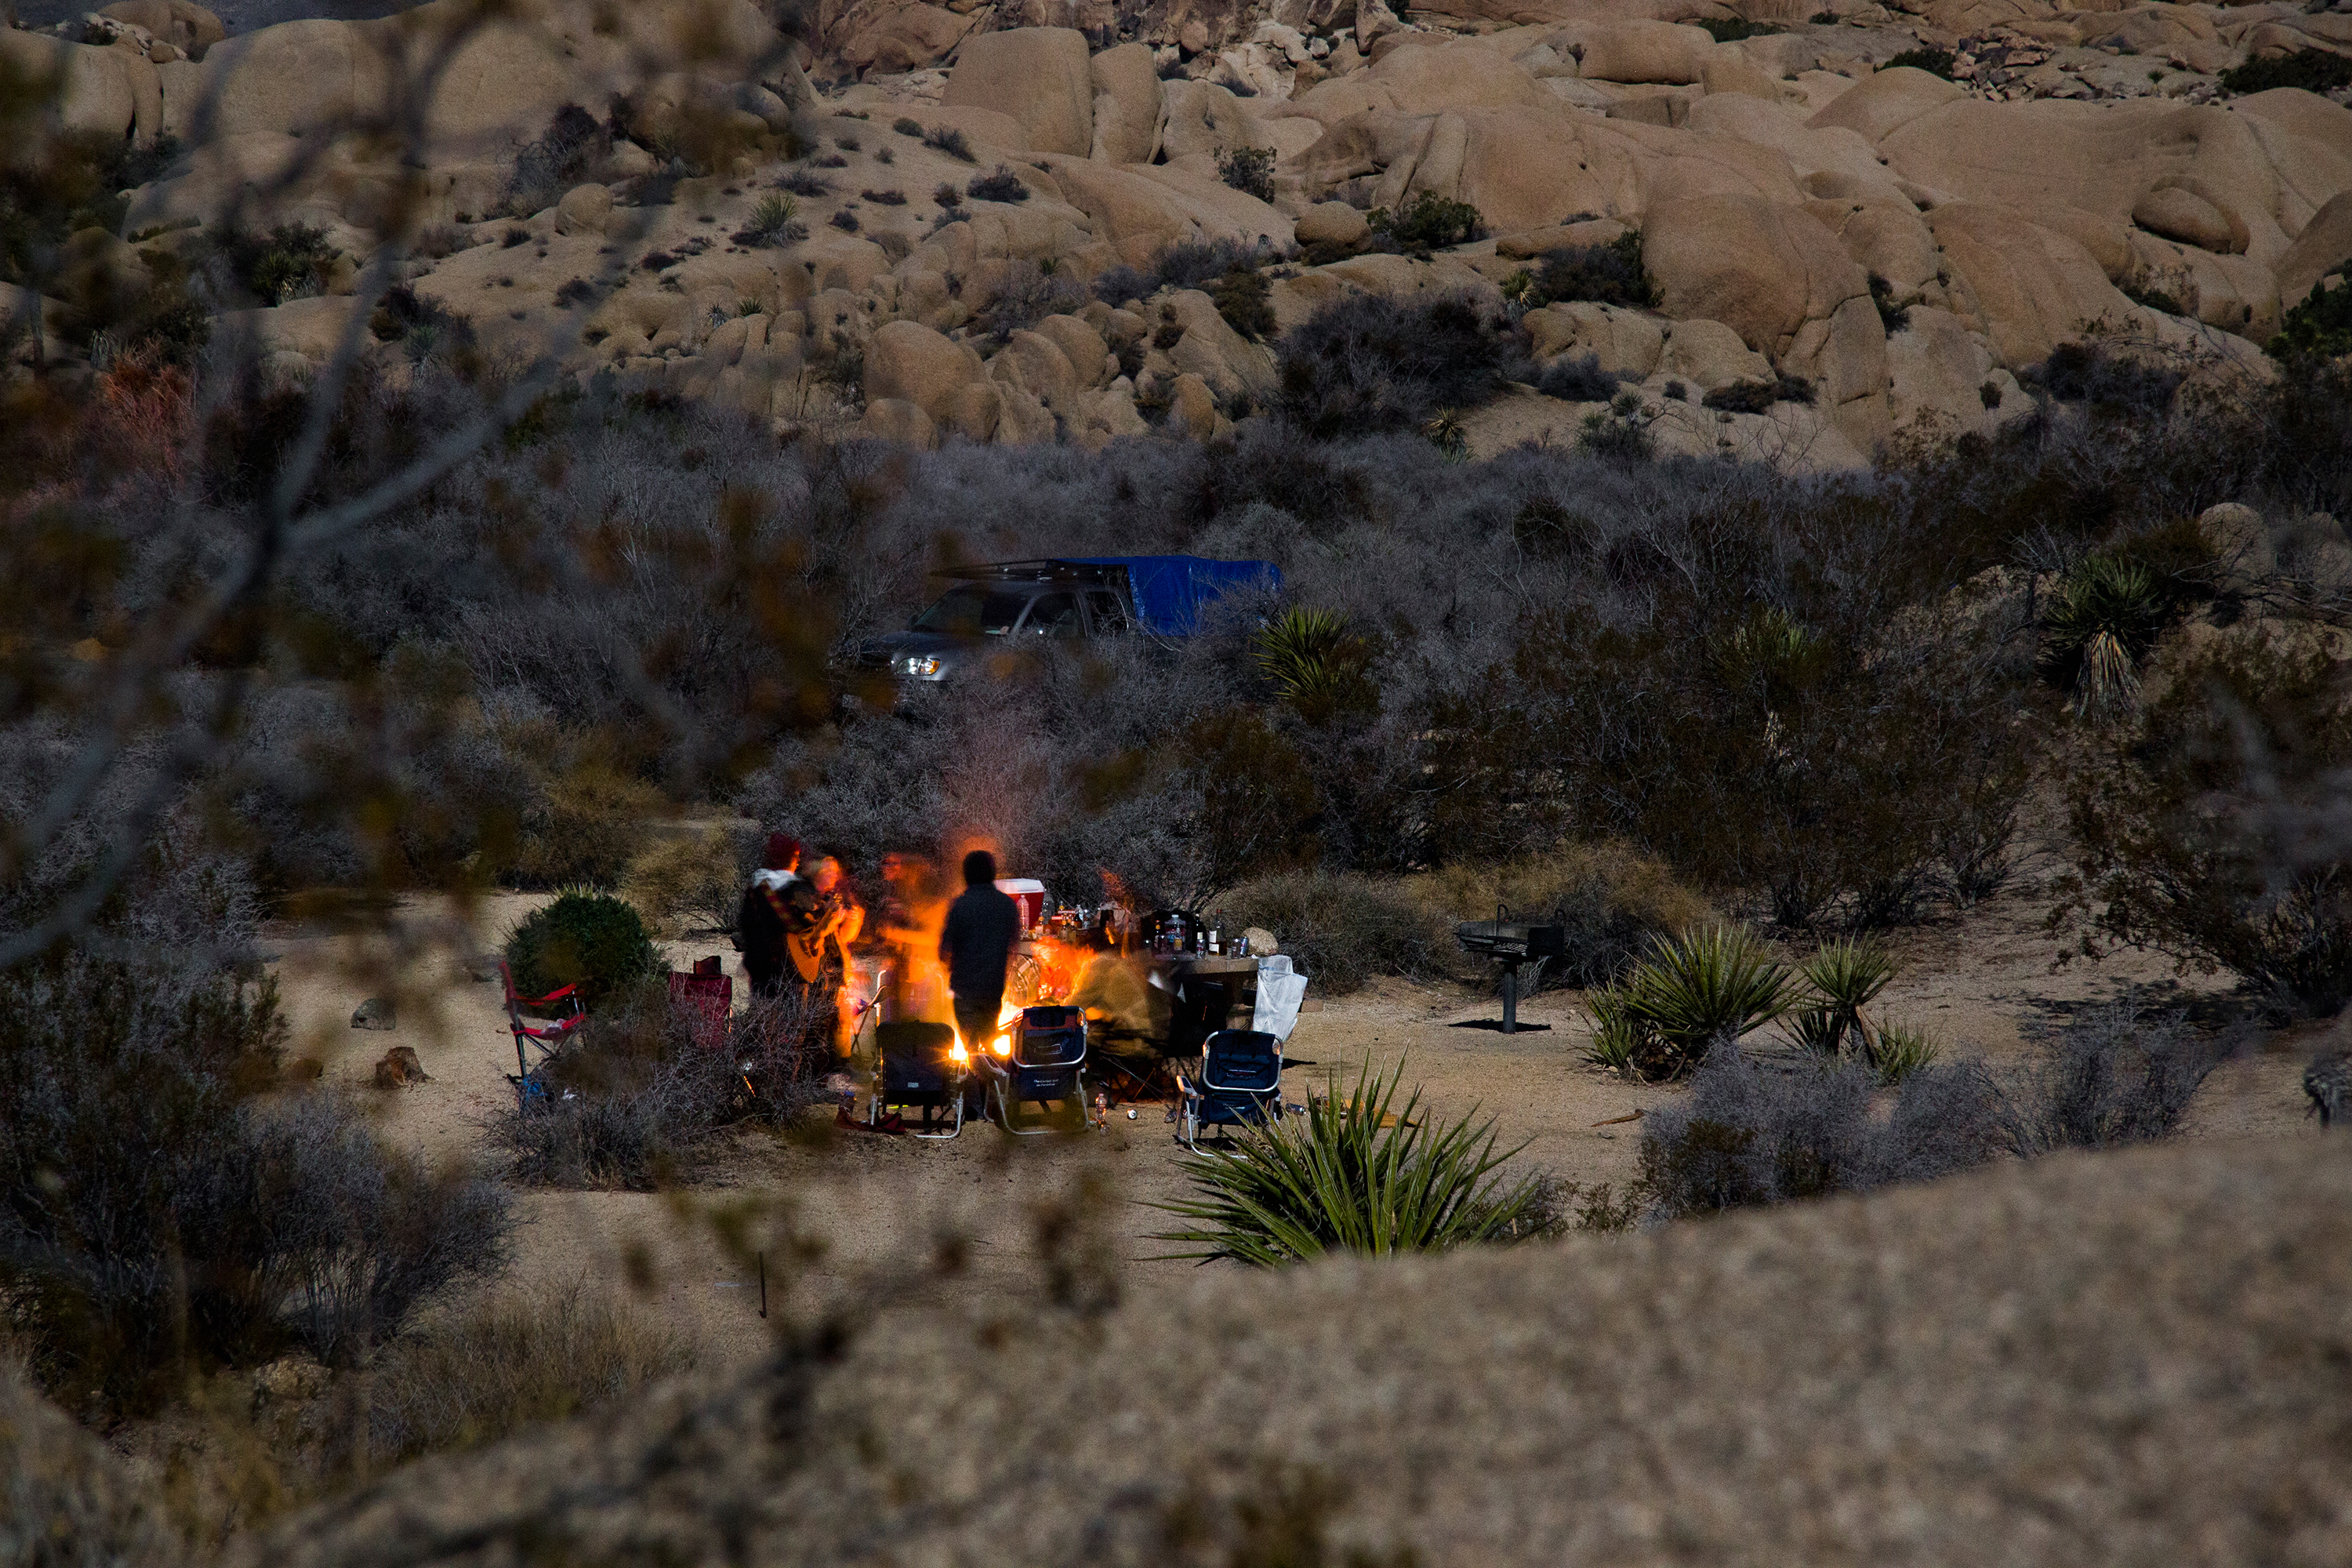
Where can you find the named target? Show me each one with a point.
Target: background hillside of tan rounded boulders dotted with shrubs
(911, 220)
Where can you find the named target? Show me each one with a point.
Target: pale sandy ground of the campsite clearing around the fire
(862, 1219)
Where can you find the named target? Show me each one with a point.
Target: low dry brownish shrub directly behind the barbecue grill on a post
(1612, 899)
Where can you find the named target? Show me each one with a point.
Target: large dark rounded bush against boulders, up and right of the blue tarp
(1370, 363)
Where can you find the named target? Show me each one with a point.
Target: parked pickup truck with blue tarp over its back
(1064, 598)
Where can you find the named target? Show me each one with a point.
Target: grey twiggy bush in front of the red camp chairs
(636, 1099)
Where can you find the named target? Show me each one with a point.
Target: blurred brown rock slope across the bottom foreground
(2092, 1360)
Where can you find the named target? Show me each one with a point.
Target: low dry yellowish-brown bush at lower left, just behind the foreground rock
(512, 1362)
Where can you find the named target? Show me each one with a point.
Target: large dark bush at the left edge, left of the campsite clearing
(159, 1219)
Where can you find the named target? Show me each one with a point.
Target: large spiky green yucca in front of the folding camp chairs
(1356, 1177)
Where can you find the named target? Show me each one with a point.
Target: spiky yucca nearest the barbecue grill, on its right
(1690, 993)
